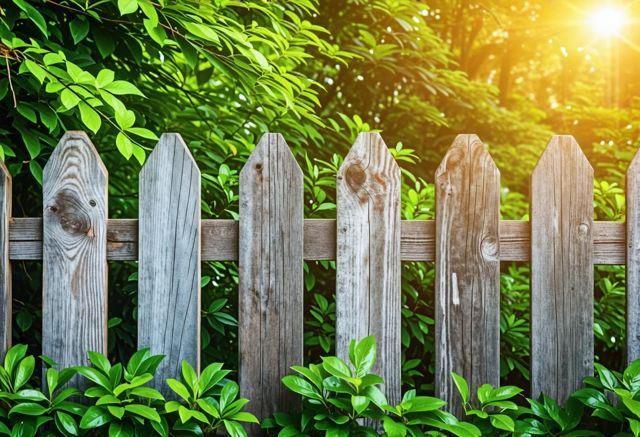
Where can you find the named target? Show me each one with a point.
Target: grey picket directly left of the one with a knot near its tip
(270, 330)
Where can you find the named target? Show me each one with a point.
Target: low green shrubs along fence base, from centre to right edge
(343, 399)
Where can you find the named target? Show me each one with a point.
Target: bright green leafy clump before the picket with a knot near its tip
(345, 399)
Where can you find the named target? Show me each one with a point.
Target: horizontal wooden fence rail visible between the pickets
(220, 240)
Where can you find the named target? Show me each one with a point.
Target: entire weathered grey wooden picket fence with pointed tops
(467, 241)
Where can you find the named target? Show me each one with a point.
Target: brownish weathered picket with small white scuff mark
(467, 304)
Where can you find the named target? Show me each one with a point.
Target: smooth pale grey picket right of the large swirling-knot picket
(169, 258)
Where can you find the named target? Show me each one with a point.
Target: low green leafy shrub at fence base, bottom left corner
(116, 400)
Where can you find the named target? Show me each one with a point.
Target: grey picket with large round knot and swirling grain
(74, 302)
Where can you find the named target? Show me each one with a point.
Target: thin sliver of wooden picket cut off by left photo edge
(5, 265)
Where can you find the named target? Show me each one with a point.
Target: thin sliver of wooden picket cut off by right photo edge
(633, 259)
